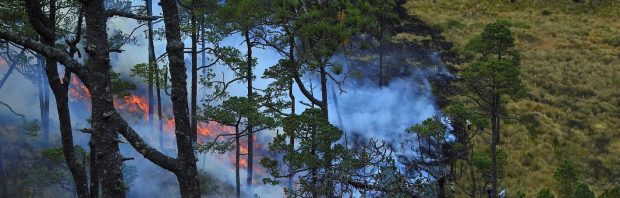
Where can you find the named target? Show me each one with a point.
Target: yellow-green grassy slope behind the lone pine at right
(571, 68)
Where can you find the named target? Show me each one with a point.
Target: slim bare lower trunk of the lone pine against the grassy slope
(494, 143)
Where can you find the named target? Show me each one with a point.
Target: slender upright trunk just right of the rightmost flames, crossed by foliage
(249, 74)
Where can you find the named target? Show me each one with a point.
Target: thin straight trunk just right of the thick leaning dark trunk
(194, 95)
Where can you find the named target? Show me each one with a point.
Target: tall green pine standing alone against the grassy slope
(494, 75)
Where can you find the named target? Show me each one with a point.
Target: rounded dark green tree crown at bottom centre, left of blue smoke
(316, 148)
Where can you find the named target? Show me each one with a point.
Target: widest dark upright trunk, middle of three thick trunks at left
(107, 151)
